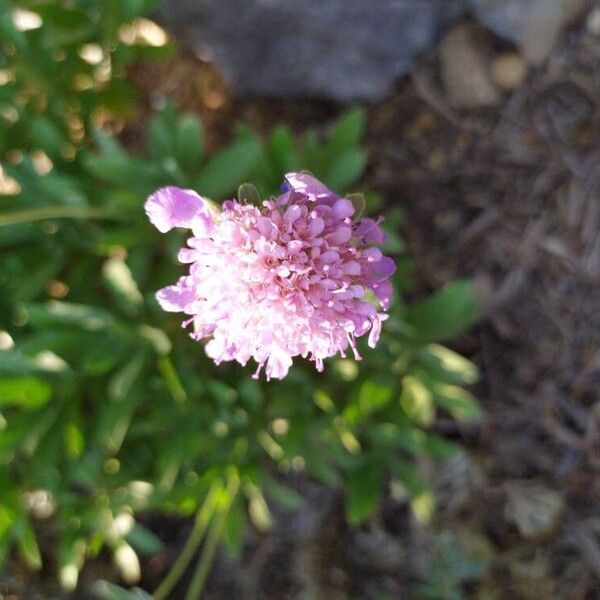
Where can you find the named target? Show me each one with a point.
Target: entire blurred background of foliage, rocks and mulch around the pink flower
(464, 470)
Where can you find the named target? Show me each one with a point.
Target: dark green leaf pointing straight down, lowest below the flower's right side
(363, 492)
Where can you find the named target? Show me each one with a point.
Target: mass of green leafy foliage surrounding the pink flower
(106, 407)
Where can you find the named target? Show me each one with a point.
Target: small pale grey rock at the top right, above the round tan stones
(533, 25)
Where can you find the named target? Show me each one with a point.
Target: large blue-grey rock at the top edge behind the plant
(346, 50)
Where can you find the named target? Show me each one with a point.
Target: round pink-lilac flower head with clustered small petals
(287, 279)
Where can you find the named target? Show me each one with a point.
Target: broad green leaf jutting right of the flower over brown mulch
(444, 315)
